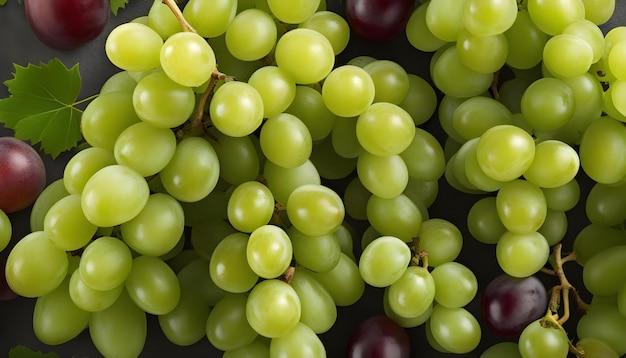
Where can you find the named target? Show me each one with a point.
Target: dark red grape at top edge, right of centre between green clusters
(378, 20)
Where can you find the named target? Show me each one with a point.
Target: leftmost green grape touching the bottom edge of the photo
(120, 330)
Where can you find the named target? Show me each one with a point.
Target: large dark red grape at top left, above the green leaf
(67, 24)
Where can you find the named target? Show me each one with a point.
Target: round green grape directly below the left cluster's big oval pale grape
(105, 263)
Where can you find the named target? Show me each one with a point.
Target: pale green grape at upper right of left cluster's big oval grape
(145, 148)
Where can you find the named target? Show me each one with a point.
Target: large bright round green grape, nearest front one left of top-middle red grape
(306, 54)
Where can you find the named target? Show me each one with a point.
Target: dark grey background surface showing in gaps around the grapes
(19, 45)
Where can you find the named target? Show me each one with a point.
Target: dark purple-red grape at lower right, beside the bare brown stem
(509, 304)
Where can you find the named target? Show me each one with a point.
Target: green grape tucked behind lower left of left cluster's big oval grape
(66, 225)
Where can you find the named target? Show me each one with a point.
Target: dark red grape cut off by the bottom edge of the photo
(379, 337)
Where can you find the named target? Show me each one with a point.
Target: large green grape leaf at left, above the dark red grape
(41, 105)
